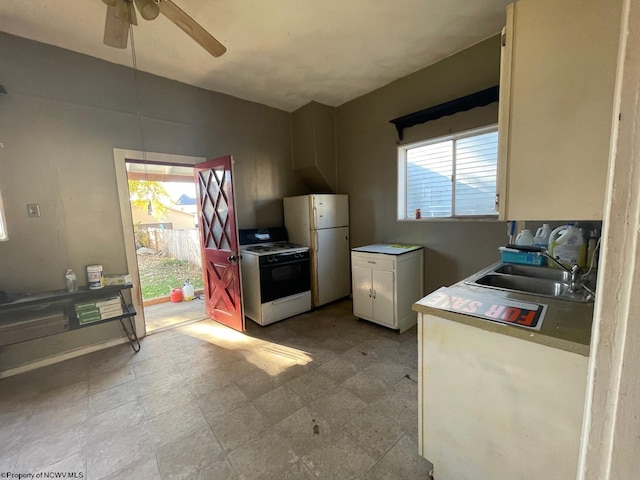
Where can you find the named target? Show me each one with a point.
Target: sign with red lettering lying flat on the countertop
(501, 310)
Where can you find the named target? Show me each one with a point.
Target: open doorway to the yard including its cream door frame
(161, 237)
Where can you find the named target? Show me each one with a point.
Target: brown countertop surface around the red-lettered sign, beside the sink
(567, 325)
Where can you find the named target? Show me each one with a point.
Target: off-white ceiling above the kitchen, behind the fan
(281, 53)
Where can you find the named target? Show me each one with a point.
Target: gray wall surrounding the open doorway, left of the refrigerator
(59, 122)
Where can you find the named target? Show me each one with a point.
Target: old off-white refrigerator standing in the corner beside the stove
(321, 222)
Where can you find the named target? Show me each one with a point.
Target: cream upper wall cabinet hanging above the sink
(557, 81)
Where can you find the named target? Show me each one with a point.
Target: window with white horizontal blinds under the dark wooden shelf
(449, 177)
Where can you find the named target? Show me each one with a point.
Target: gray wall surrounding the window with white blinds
(367, 162)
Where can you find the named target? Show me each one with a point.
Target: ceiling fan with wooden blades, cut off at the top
(121, 14)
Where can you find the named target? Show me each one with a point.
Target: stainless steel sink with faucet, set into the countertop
(531, 280)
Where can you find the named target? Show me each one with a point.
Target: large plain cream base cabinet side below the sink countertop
(495, 407)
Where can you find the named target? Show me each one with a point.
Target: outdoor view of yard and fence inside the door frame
(164, 212)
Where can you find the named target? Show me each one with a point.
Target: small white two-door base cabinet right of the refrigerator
(385, 286)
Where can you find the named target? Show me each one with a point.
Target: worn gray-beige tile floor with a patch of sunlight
(321, 395)
